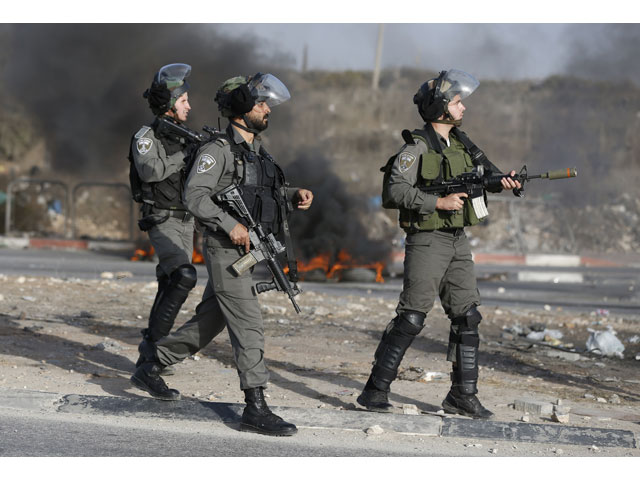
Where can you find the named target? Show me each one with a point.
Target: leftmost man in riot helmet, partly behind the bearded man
(157, 173)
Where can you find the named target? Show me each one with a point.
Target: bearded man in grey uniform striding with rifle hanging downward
(236, 156)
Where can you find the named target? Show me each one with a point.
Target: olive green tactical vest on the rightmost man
(455, 160)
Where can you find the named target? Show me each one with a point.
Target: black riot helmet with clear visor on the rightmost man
(433, 96)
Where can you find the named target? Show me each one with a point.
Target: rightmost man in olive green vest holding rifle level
(438, 258)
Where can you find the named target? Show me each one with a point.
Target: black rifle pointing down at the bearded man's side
(265, 247)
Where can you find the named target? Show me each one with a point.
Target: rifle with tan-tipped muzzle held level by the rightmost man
(475, 182)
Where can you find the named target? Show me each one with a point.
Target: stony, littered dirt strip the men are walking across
(79, 336)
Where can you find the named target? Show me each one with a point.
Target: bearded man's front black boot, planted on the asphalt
(259, 419)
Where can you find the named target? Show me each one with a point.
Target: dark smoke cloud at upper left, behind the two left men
(82, 84)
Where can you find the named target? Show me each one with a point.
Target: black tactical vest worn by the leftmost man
(165, 194)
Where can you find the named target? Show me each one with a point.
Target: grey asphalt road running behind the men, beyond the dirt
(588, 288)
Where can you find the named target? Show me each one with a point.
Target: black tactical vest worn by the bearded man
(261, 185)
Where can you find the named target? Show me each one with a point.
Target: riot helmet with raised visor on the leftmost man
(169, 83)
